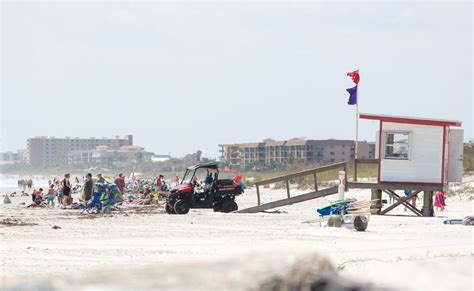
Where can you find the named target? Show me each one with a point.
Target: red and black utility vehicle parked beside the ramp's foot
(202, 188)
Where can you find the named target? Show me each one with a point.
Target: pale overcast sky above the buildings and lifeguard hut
(191, 75)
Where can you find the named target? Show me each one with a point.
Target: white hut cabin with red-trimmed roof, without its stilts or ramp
(418, 150)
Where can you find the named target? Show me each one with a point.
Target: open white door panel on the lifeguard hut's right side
(455, 155)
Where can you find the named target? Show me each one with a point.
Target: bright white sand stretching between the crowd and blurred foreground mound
(398, 252)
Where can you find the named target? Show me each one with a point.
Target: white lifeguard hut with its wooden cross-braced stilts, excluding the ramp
(418, 154)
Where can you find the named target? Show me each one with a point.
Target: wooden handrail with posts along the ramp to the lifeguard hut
(287, 178)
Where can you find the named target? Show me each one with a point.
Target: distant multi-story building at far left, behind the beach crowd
(51, 151)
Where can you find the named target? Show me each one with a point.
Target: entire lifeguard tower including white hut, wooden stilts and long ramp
(417, 154)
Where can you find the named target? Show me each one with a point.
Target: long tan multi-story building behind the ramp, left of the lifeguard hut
(292, 151)
